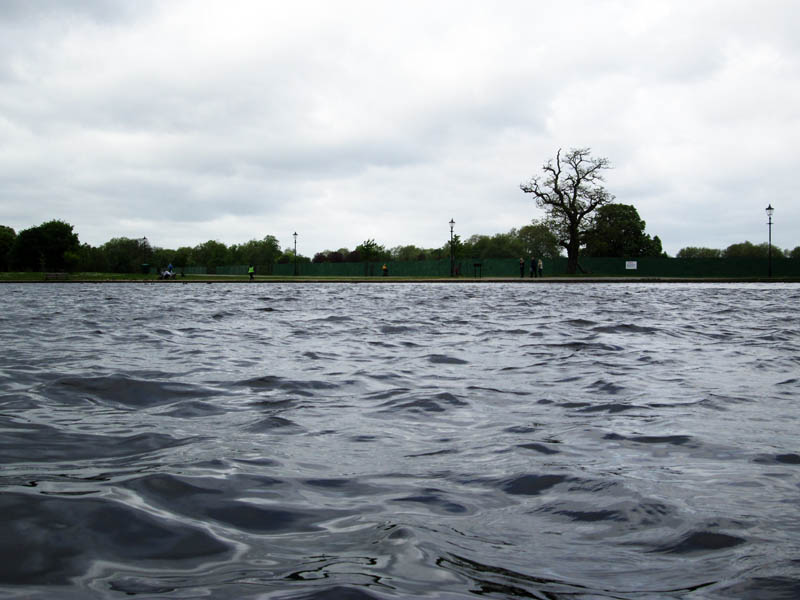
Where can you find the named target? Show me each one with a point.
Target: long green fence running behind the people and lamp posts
(509, 267)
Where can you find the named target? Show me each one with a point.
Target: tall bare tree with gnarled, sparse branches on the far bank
(570, 190)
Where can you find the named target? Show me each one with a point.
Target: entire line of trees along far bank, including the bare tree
(581, 218)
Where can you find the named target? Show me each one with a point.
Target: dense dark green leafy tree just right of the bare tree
(618, 231)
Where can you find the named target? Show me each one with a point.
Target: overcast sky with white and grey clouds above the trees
(348, 120)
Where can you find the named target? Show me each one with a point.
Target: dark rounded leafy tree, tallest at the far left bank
(44, 247)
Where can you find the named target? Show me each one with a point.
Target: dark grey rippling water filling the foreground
(385, 441)
